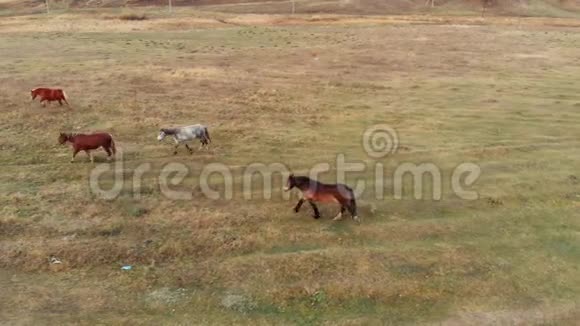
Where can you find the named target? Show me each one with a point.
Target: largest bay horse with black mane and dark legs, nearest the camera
(314, 191)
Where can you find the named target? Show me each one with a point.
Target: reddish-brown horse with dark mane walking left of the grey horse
(82, 142)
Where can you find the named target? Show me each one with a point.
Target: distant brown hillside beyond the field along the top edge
(548, 8)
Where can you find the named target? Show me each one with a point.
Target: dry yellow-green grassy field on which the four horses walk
(501, 93)
